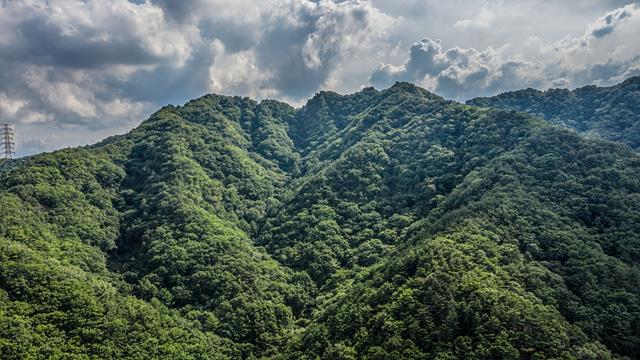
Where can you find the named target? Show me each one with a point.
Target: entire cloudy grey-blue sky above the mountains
(75, 71)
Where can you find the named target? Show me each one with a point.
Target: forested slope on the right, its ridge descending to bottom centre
(533, 245)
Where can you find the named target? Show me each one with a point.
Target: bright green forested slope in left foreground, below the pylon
(57, 297)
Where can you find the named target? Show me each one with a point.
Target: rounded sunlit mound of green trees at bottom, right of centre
(453, 296)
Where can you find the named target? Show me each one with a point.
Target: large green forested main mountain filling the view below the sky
(377, 225)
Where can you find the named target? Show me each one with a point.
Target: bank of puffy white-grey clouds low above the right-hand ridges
(461, 73)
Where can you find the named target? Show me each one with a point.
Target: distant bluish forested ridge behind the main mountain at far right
(610, 112)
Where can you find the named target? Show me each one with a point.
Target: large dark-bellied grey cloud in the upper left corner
(90, 34)
